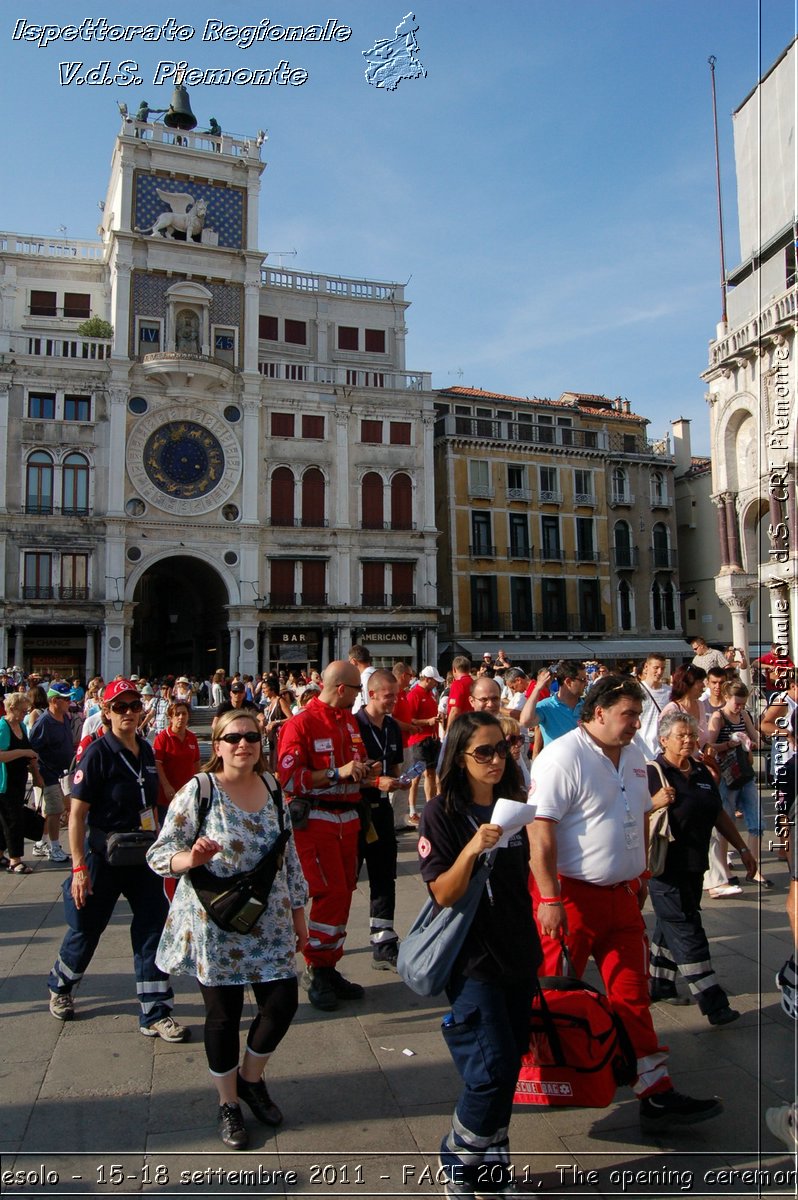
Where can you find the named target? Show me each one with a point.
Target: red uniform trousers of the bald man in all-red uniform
(328, 853)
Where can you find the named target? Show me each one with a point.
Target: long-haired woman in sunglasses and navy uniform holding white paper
(493, 983)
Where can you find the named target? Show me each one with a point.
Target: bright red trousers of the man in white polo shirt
(608, 925)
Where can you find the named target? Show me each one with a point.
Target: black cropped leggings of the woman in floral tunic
(278, 1003)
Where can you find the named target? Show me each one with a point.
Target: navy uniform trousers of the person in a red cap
(145, 892)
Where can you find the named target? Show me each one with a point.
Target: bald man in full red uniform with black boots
(321, 761)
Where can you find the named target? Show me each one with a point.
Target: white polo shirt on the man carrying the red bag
(599, 811)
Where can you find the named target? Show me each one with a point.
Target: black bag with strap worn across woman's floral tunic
(238, 902)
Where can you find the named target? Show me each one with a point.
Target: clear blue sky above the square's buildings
(548, 190)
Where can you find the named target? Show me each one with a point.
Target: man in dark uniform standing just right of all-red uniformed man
(383, 742)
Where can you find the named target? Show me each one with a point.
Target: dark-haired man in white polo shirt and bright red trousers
(589, 856)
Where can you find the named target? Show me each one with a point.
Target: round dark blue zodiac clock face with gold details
(184, 460)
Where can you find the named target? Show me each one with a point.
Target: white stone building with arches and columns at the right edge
(752, 376)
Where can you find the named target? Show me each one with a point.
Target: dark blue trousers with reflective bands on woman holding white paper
(487, 1033)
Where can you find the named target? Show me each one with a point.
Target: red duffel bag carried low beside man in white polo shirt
(579, 1049)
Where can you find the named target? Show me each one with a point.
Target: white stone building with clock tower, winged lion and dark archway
(242, 476)
